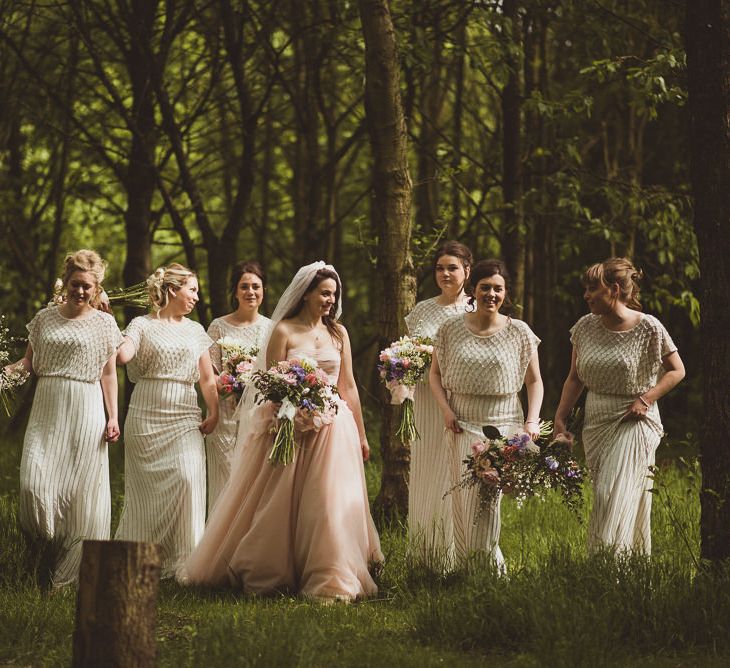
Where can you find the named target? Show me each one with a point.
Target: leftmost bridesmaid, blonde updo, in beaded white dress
(64, 471)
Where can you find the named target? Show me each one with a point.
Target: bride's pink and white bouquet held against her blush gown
(306, 397)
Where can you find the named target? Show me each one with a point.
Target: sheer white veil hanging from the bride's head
(288, 300)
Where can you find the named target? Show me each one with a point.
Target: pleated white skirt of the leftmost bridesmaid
(64, 470)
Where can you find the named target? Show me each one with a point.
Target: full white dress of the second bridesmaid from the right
(482, 376)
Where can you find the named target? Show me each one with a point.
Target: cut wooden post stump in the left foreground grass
(116, 606)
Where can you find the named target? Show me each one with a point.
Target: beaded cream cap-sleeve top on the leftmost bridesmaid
(75, 348)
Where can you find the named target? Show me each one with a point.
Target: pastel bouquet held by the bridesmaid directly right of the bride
(401, 366)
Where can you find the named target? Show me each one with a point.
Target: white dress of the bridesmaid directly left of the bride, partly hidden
(219, 444)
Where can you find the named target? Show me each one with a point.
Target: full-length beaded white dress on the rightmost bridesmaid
(617, 367)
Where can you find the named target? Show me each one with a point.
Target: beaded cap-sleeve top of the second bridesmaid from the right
(486, 365)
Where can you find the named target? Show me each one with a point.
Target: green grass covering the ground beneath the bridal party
(557, 607)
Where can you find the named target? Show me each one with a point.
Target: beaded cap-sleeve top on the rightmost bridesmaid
(627, 362)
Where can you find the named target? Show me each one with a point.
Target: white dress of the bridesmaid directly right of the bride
(429, 522)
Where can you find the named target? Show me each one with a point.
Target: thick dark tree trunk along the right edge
(708, 60)
